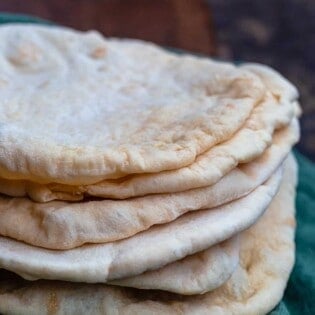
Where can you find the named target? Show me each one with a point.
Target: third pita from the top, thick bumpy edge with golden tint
(63, 225)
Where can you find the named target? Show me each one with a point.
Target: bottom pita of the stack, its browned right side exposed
(267, 256)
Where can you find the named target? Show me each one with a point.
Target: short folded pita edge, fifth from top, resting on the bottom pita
(195, 274)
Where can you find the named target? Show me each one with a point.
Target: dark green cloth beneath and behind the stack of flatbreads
(299, 297)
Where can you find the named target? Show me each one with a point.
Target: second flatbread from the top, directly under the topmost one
(274, 112)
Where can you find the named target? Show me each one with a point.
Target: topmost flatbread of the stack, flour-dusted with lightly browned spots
(77, 108)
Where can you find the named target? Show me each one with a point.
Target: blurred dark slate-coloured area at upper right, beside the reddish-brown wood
(279, 33)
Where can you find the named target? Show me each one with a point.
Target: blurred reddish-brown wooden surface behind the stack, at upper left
(185, 24)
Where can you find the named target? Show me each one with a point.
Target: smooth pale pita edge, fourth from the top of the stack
(149, 250)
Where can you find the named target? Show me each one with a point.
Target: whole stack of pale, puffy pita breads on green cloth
(137, 181)
